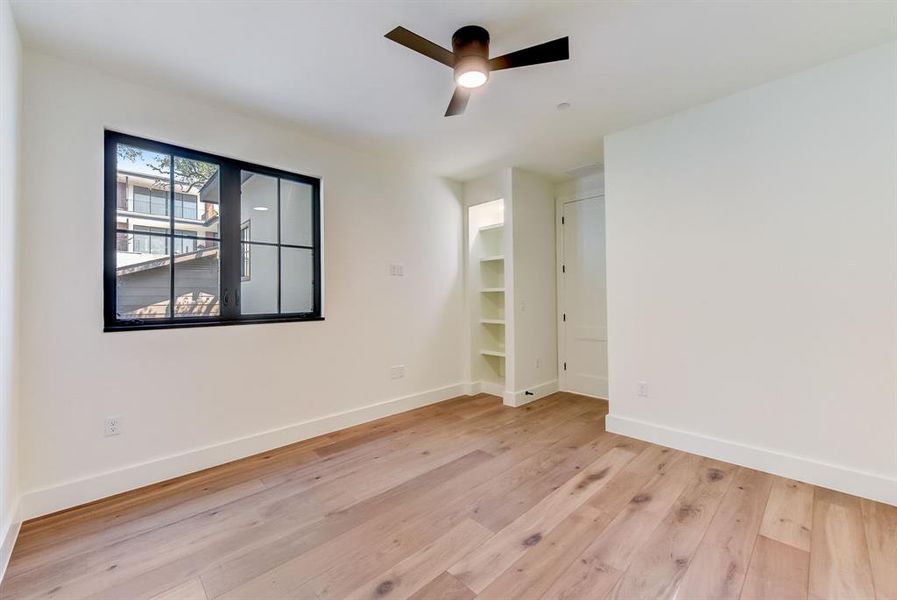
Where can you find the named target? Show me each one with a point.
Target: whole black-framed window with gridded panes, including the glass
(196, 239)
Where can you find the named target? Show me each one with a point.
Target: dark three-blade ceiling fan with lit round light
(470, 60)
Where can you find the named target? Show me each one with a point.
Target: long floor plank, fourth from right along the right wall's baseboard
(720, 564)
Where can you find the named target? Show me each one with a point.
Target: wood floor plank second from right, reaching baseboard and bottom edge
(839, 556)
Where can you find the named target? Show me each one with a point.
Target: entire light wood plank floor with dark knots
(466, 499)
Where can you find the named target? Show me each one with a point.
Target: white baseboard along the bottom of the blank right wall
(850, 481)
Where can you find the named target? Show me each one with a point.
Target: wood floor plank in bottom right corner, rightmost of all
(880, 521)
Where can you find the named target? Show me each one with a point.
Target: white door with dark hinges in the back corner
(584, 298)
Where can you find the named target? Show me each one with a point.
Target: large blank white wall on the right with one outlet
(752, 276)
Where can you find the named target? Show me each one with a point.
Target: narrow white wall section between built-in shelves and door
(534, 300)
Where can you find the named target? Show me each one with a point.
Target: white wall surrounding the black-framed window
(246, 388)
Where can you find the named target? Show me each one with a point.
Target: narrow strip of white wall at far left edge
(10, 111)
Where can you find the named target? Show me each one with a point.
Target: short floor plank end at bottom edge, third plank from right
(777, 570)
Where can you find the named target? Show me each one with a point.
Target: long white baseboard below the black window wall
(73, 493)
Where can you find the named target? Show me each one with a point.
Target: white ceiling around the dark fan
(327, 66)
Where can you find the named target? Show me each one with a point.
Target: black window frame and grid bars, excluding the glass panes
(230, 255)
